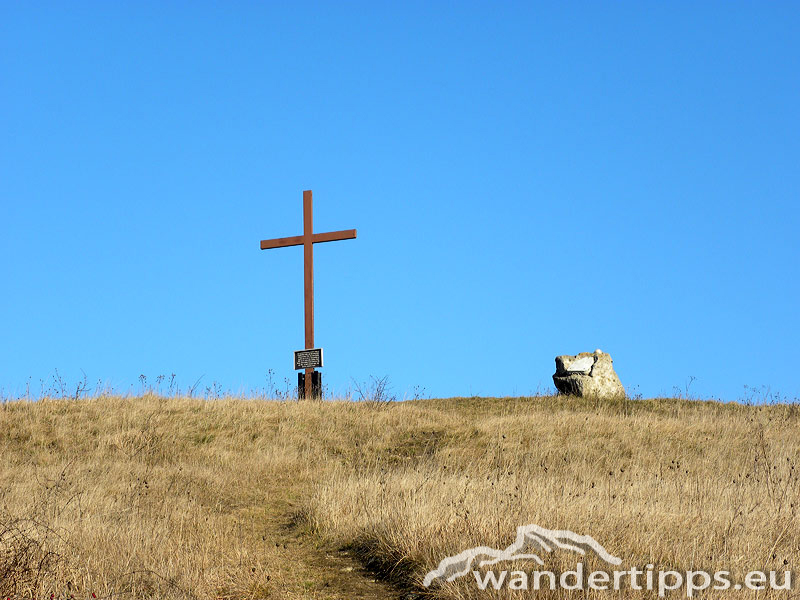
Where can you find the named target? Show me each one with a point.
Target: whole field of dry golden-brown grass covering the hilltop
(154, 497)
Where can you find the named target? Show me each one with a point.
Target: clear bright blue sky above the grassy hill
(527, 180)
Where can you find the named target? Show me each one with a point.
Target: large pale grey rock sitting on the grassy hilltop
(588, 374)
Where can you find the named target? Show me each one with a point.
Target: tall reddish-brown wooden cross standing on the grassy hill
(307, 240)
